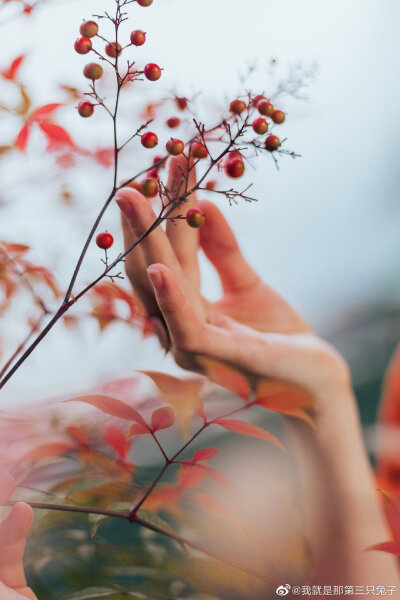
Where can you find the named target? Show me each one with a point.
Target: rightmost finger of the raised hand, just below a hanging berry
(221, 248)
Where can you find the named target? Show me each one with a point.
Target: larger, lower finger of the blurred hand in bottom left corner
(13, 532)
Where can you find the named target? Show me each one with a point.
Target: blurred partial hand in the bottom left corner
(13, 532)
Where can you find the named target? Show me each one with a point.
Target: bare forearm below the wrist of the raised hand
(342, 510)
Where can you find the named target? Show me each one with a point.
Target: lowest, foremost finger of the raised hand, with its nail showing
(185, 328)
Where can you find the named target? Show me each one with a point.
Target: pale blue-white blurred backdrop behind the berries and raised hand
(325, 231)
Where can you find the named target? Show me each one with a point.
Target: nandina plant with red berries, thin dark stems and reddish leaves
(222, 148)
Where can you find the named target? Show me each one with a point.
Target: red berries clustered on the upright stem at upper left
(94, 71)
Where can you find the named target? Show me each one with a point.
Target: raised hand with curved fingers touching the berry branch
(250, 327)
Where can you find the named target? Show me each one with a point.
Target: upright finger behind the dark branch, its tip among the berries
(184, 239)
